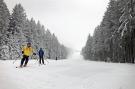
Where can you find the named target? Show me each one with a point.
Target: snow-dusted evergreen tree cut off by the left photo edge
(4, 24)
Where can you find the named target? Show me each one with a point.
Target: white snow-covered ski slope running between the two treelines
(74, 73)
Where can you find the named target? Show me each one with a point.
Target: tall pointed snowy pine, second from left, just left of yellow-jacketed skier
(17, 25)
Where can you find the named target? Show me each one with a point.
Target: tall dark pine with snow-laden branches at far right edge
(127, 29)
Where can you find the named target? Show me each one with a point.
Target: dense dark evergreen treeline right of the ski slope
(114, 38)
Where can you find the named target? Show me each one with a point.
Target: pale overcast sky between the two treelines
(70, 20)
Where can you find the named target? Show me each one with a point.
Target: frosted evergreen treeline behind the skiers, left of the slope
(16, 30)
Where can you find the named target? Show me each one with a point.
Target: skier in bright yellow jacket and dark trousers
(26, 51)
